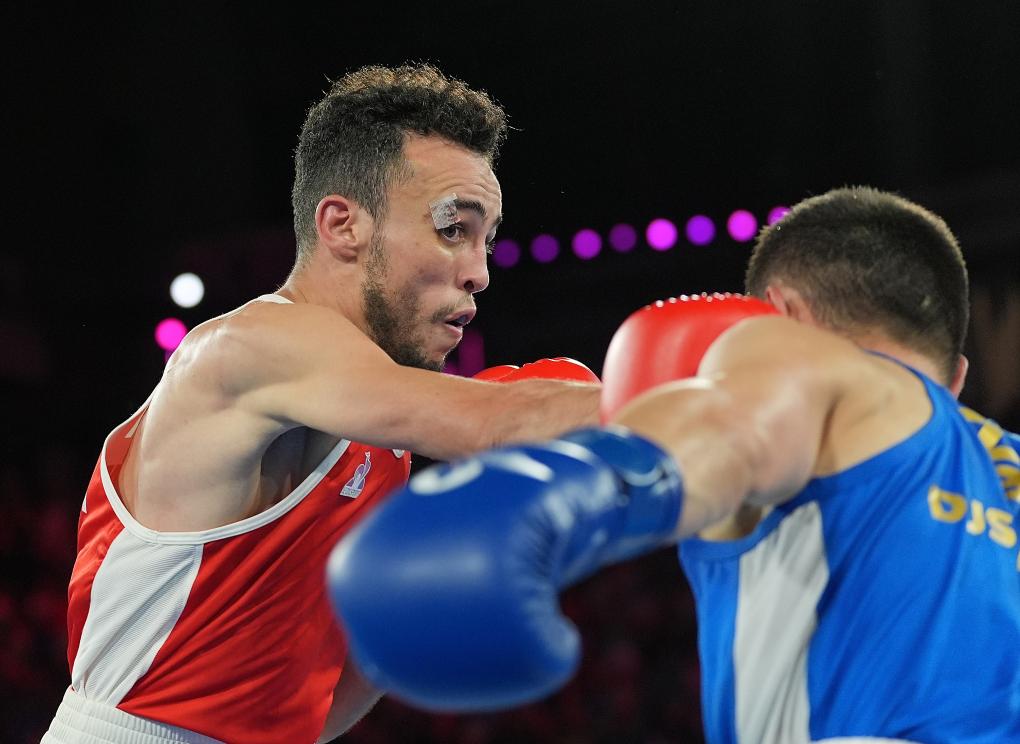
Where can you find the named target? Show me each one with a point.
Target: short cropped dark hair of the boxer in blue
(864, 259)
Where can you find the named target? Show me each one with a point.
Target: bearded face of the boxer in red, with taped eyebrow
(419, 281)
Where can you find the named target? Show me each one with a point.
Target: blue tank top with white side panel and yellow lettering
(883, 601)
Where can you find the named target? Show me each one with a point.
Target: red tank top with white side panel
(226, 632)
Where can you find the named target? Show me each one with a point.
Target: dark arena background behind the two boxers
(148, 139)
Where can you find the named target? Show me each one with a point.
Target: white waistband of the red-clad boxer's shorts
(79, 721)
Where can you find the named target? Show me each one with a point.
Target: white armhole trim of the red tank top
(219, 533)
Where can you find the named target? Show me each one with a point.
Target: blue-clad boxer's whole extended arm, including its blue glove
(475, 594)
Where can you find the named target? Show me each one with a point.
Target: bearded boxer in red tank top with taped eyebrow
(197, 605)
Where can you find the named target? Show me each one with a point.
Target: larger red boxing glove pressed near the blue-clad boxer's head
(667, 341)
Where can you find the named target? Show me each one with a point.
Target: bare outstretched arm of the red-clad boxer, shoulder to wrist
(307, 366)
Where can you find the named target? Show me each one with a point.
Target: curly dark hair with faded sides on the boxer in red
(352, 140)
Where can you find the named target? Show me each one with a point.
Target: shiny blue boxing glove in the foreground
(448, 591)
